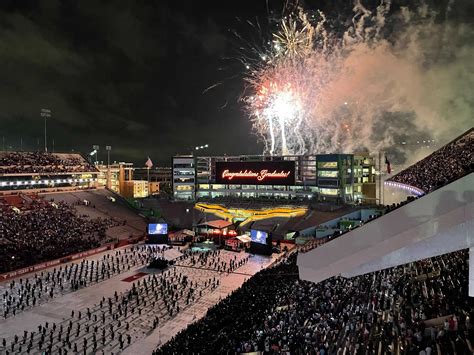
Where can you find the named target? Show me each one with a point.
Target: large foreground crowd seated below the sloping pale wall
(418, 308)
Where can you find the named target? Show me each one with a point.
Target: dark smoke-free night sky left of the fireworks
(130, 74)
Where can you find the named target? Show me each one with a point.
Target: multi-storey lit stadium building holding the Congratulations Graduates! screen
(322, 177)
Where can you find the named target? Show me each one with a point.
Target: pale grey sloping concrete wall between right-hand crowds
(438, 223)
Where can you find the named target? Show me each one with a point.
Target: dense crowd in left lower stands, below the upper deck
(45, 230)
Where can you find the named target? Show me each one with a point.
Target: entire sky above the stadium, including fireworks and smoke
(405, 73)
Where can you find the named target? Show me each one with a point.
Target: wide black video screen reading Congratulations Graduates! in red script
(256, 173)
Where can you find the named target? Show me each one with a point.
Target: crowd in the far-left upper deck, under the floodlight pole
(40, 162)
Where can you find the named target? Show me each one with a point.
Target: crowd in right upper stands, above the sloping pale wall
(447, 164)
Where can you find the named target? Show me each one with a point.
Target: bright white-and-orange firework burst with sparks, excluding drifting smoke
(282, 86)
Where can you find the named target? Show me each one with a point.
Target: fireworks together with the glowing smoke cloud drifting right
(390, 76)
